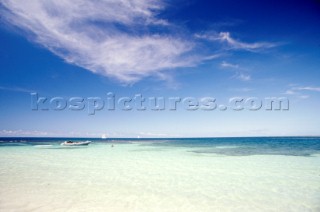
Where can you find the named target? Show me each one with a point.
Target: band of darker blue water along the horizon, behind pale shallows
(291, 146)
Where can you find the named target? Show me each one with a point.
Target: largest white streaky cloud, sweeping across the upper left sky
(102, 36)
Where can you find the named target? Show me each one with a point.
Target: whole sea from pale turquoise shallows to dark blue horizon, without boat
(208, 174)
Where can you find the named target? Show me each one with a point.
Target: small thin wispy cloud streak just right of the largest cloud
(236, 44)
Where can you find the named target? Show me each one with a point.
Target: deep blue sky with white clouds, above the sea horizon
(156, 48)
